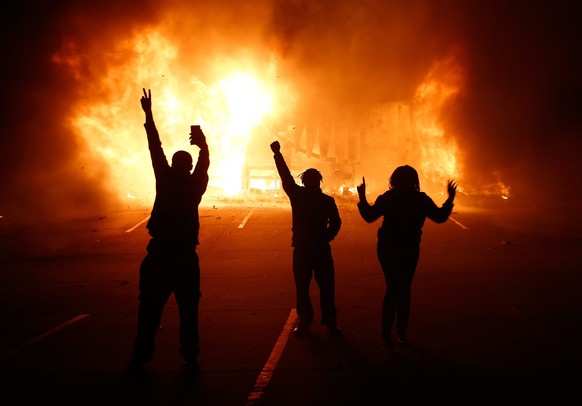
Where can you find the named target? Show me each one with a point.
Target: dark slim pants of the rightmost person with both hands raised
(398, 265)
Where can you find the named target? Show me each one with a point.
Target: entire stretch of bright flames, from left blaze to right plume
(239, 100)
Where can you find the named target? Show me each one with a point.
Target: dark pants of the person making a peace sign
(163, 272)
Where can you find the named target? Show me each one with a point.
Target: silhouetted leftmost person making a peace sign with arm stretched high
(171, 264)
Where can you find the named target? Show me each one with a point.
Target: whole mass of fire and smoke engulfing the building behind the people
(351, 88)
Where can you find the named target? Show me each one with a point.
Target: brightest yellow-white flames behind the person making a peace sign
(227, 111)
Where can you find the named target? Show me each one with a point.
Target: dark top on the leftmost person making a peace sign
(174, 217)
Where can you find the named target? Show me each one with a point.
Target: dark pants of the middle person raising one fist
(317, 263)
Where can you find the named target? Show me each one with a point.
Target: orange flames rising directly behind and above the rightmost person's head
(415, 132)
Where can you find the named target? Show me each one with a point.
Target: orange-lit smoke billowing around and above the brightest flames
(515, 118)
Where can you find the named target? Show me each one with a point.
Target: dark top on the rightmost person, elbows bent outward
(404, 214)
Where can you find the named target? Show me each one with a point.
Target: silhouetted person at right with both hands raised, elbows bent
(404, 208)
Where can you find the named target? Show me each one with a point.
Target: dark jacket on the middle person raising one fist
(315, 217)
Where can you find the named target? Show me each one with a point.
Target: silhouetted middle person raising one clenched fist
(315, 223)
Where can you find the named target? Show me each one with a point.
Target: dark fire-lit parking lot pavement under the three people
(496, 312)
